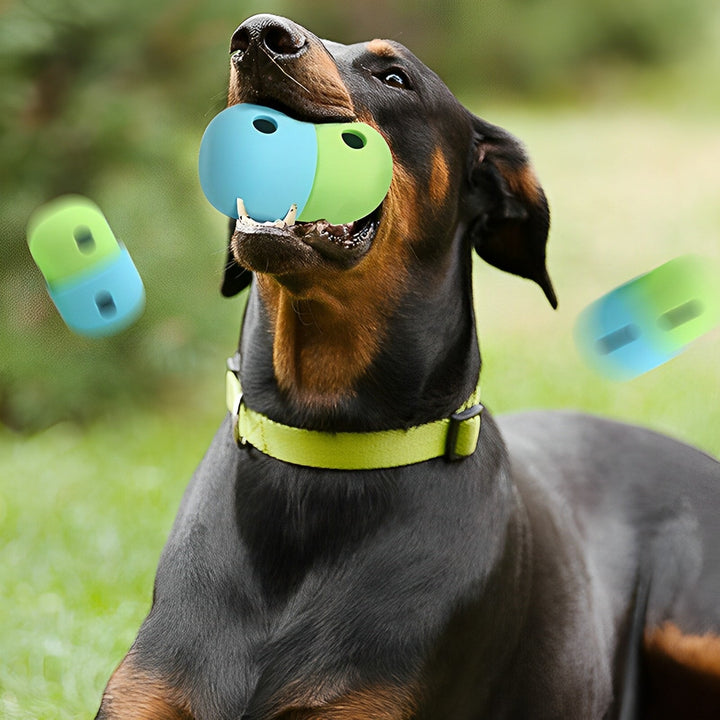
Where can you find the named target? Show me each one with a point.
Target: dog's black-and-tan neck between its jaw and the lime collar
(354, 356)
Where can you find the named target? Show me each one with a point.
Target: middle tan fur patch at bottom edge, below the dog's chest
(391, 702)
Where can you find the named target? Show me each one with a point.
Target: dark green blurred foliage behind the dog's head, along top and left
(109, 99)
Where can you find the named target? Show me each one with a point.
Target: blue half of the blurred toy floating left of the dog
(102, 302)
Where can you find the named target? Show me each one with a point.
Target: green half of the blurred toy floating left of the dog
(68, 237)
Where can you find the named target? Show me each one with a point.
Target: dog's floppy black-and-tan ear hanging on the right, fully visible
(509, 215)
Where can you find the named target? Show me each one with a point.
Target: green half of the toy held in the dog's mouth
(353, 174)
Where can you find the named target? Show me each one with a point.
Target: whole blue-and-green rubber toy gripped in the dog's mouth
(339, 172)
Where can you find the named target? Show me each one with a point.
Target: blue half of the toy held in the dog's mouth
(247, 149)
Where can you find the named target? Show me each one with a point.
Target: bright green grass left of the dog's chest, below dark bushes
(84, 514)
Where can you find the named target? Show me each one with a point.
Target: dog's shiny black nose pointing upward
(277, 36)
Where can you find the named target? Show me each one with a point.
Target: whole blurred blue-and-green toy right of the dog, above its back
(650, 319)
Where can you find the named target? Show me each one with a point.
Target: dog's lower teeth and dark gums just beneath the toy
(343, 243)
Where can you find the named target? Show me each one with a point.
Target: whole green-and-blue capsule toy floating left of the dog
(90, 277)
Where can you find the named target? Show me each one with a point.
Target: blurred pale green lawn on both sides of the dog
(84, 512)
